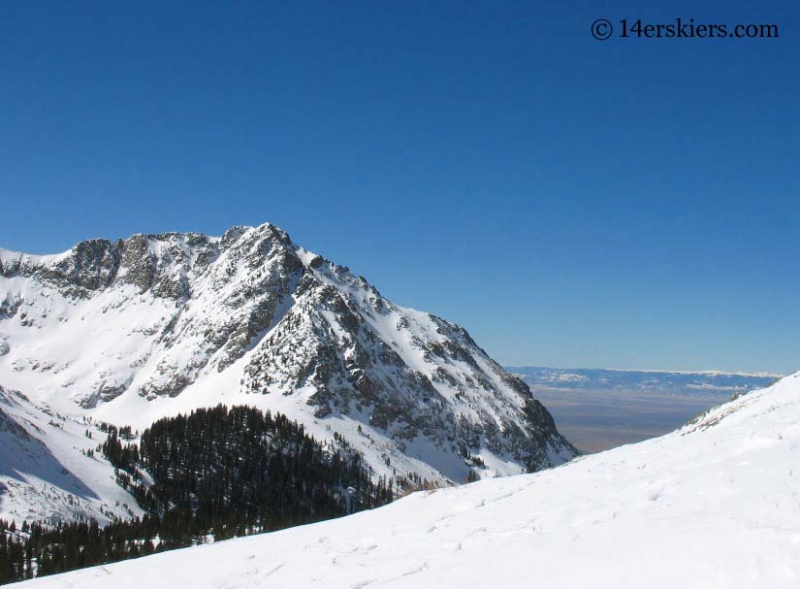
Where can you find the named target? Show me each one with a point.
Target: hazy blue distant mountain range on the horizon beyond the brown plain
(643, 381)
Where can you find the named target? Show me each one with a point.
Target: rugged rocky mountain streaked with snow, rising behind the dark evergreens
(134, 330)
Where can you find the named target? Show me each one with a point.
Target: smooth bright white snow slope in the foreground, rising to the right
(715, 504)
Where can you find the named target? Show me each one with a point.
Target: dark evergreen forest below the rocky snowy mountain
(211, 475)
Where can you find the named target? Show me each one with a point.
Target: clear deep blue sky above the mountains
(633, 203)
